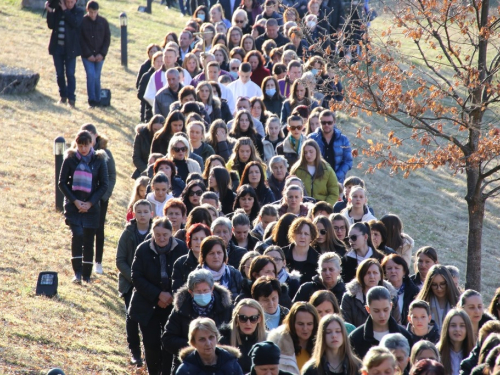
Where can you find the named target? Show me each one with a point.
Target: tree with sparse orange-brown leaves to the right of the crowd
(446, 92)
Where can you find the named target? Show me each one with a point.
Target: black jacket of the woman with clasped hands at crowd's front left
(146, 277)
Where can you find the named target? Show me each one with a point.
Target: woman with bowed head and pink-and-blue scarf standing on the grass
(83, 181)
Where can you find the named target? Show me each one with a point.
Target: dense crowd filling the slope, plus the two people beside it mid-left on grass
(249, 247)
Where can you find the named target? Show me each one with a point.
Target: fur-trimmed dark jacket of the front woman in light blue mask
(175, 336)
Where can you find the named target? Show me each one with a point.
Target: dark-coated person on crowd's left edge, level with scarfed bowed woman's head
(142, 143)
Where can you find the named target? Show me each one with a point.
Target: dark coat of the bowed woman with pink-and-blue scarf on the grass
(100, 183)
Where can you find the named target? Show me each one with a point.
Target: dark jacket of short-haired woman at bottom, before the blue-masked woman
(227, 362)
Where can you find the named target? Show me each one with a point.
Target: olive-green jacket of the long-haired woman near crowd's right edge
(325, 188)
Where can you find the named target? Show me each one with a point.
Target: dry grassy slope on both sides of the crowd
(82, 330)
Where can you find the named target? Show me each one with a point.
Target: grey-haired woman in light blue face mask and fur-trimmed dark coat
(201, 296)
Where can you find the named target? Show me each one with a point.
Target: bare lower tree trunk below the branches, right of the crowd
(475, 205)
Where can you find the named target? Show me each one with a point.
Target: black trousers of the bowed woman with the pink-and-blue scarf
(82, 250)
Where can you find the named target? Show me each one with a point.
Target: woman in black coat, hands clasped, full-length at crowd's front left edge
(152, 300)
